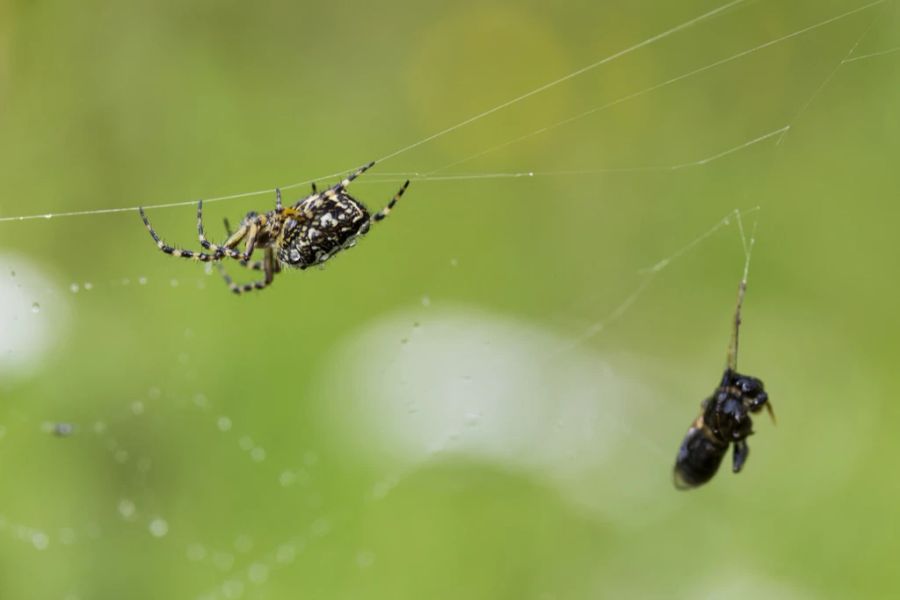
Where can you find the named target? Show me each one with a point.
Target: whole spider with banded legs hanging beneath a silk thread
(304, 234)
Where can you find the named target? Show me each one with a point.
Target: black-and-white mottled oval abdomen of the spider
(324, 225)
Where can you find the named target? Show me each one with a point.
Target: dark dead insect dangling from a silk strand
(725, 419)
